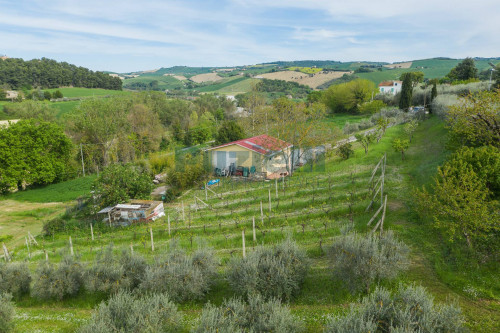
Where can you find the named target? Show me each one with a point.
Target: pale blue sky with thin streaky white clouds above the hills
(131, 35)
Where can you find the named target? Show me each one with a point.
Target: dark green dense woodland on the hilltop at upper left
(46, 73)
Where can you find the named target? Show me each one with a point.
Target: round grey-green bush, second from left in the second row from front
(53, 282)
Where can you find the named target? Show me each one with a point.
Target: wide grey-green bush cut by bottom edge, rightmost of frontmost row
(410, 309)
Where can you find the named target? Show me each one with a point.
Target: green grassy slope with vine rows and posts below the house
(321, 295)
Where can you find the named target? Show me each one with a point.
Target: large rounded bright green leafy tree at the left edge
(33, 152)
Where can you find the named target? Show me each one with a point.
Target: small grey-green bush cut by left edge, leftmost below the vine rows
(15, 279)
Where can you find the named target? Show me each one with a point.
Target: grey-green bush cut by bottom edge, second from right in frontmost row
(257, 315)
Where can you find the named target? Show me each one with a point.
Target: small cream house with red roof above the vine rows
(262, 154)
